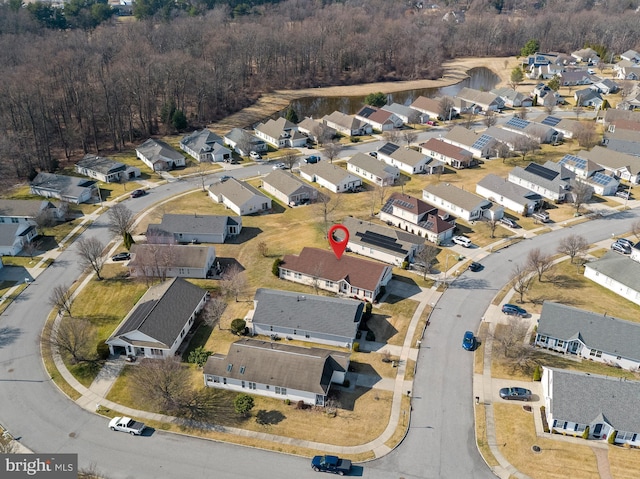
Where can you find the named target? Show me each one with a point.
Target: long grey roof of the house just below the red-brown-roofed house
(307, 312)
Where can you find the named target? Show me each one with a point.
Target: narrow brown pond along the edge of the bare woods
(479, 78)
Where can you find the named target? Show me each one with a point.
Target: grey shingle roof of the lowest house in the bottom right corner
(586, 398)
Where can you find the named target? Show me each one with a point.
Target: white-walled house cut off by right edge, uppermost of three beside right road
(617, 273)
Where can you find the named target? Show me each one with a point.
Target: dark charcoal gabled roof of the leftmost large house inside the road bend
(162, 311)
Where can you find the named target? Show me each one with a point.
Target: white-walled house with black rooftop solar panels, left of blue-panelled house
(552, 181)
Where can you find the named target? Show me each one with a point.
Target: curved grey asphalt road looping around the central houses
(440, 443)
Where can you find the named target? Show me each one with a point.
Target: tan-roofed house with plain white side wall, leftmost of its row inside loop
(239, 197)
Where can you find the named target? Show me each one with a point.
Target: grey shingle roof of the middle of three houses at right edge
(597, 331)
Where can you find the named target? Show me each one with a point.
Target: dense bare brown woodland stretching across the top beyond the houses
(66, 93)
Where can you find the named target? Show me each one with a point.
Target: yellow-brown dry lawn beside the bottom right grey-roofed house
(515, 434)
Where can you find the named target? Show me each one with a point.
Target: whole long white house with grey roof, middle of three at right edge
(597, 337)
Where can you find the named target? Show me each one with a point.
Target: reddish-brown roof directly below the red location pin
(360, 273)
